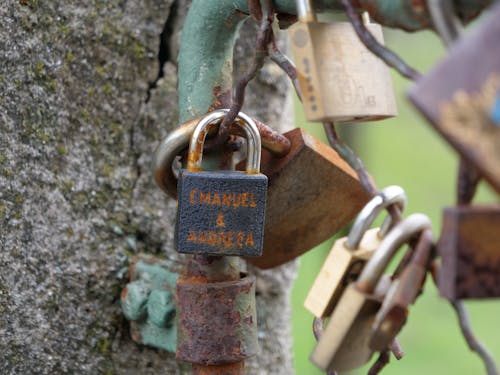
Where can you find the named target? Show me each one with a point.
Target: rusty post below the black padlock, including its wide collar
(217, 327)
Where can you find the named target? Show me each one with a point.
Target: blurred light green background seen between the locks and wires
(406, 151)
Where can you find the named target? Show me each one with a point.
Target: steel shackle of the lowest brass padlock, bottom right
(398, 235)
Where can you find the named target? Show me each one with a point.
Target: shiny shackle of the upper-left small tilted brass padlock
(386, 197)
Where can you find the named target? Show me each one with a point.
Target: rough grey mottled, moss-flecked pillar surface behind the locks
(79, 121)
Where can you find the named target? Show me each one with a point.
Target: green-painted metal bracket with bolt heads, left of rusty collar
(148, 302)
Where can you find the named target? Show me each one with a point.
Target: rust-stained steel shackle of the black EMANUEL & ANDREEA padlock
(212, 119)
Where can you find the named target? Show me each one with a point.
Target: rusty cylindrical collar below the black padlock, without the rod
(217, 321)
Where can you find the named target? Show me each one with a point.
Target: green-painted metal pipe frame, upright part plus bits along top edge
(211, 27)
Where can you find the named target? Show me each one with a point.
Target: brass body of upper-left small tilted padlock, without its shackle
(341, 266)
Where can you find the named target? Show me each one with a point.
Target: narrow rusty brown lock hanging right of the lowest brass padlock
(402, 292)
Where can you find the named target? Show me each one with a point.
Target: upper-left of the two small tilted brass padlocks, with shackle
(349, 254)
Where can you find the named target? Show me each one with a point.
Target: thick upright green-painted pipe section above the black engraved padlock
(206, 54)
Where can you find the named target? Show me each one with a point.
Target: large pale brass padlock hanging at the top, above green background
(340, 79)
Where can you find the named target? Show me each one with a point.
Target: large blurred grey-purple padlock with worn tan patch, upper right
(459, 95)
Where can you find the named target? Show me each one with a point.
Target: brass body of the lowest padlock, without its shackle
(344, 343)
